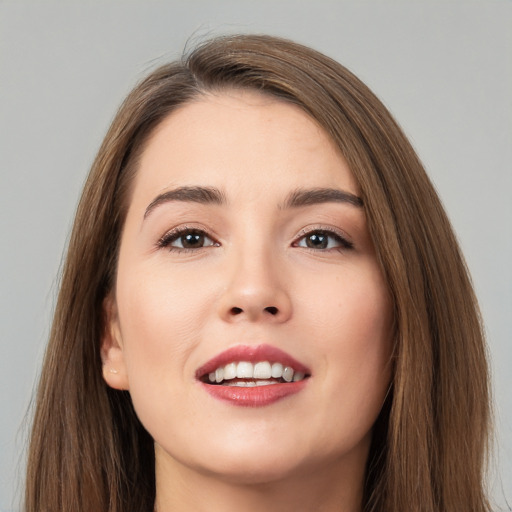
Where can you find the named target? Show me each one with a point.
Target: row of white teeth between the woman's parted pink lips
(260, 371)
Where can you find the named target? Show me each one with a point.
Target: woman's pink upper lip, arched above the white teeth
(252, 354)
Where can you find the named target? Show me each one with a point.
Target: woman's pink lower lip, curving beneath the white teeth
(257, 396)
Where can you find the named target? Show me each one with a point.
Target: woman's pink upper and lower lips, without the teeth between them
(257, 396)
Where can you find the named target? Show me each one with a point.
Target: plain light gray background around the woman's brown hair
(443, 68)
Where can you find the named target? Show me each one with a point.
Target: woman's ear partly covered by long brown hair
(112, 354)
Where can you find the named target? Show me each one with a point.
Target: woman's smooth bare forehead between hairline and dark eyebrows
(244, 141)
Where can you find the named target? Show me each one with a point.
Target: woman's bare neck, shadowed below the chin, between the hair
(325, 489)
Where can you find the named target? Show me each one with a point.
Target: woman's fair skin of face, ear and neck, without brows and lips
(173, 310)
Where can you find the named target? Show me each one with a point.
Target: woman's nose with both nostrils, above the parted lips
(255, 290)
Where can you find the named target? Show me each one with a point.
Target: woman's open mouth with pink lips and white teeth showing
(253, 375)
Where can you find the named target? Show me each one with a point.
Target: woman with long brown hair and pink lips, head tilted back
(263, 306)
